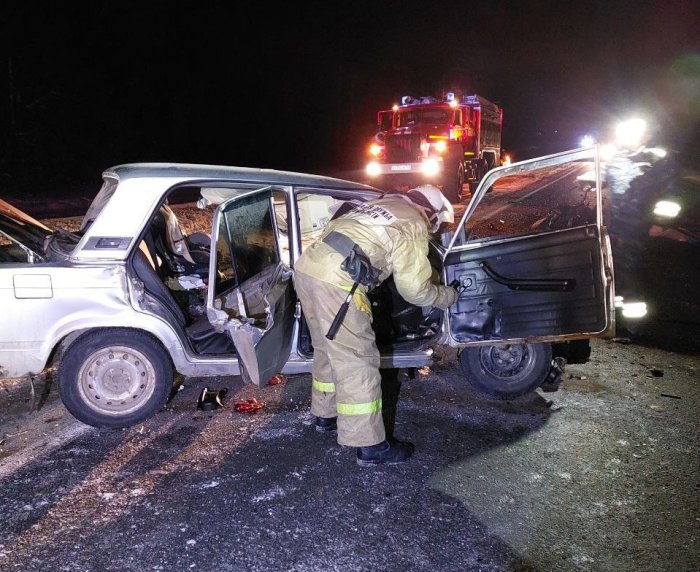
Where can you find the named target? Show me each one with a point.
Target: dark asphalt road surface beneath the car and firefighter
(601, 475)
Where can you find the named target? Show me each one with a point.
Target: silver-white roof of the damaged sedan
(196, 172)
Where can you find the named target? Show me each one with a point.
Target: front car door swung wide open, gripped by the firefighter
(531, 256)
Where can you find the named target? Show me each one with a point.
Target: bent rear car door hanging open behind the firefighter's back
(251, 294)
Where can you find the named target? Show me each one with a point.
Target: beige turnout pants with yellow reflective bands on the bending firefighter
(346, 379)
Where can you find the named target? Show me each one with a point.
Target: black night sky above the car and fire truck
(88, 86)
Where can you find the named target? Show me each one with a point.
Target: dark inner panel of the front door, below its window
(567, 300)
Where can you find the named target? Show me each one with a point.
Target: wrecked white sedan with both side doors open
(130, 299)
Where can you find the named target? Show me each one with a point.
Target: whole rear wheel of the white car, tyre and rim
(114, 377)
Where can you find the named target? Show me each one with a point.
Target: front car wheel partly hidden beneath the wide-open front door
(506, 371)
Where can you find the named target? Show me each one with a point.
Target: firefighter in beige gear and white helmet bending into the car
(362, 245)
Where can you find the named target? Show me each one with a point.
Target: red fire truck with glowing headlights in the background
(450, 142)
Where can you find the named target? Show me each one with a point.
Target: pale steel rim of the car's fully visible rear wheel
(116, 380)
